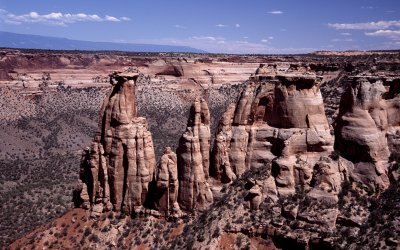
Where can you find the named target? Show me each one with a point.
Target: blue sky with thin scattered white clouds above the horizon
(226, 26)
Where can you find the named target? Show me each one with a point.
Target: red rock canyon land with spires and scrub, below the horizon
(211, 151)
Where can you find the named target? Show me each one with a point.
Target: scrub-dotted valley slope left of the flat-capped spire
(43, 136)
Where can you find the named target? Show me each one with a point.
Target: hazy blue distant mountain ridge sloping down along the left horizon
(24, 41)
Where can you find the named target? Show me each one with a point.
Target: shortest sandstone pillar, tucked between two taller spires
(168, 184)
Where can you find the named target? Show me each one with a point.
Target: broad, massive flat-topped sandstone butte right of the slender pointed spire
(279, 116)
